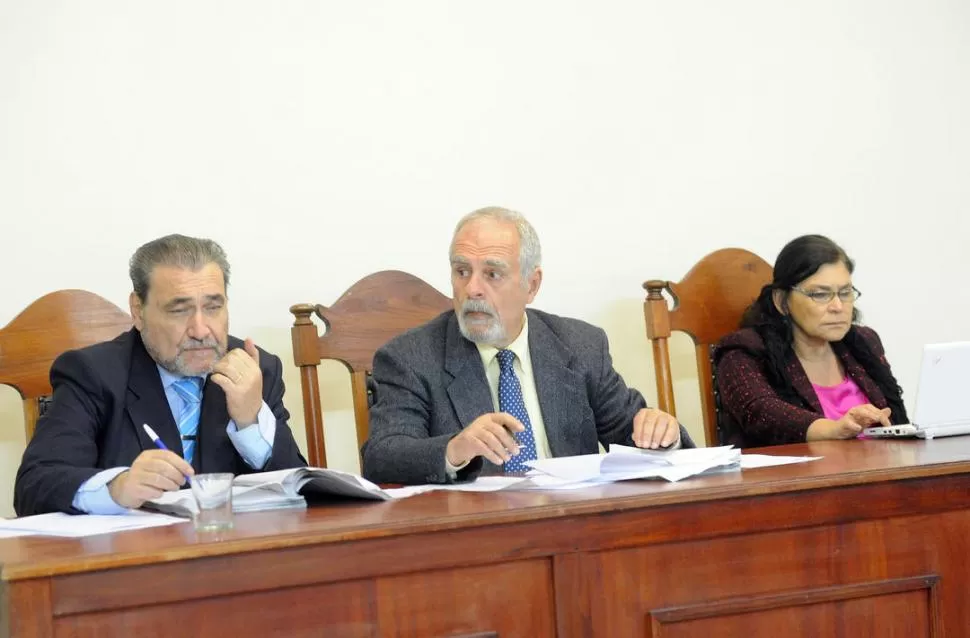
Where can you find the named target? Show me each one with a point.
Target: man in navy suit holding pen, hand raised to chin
(215, 402)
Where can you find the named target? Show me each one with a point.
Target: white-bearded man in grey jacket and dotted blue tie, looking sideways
(490, 385)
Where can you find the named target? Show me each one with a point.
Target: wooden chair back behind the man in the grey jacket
(372, 312)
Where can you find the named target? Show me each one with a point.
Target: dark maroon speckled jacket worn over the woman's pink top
(754, 414)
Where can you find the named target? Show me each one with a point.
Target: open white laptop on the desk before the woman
(942, 405)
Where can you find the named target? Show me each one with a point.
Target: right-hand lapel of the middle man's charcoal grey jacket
(560, 389)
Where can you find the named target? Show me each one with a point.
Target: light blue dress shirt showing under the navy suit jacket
(254, 444)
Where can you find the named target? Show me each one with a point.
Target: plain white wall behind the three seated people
(320, 141)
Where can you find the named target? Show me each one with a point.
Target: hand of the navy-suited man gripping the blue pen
(153, 472)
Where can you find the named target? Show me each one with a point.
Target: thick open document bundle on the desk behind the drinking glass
(278, 490)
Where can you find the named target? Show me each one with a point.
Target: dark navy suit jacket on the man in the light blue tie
(102, 396)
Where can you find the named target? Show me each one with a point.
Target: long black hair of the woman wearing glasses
(798, 260)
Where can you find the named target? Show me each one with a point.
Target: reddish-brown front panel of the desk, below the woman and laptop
(784, 580)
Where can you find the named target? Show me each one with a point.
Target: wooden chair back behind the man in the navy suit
(57, 322)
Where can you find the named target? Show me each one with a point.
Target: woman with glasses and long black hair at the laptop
(801, 368)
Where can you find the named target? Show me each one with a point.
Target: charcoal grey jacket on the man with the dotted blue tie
(431, 383)
